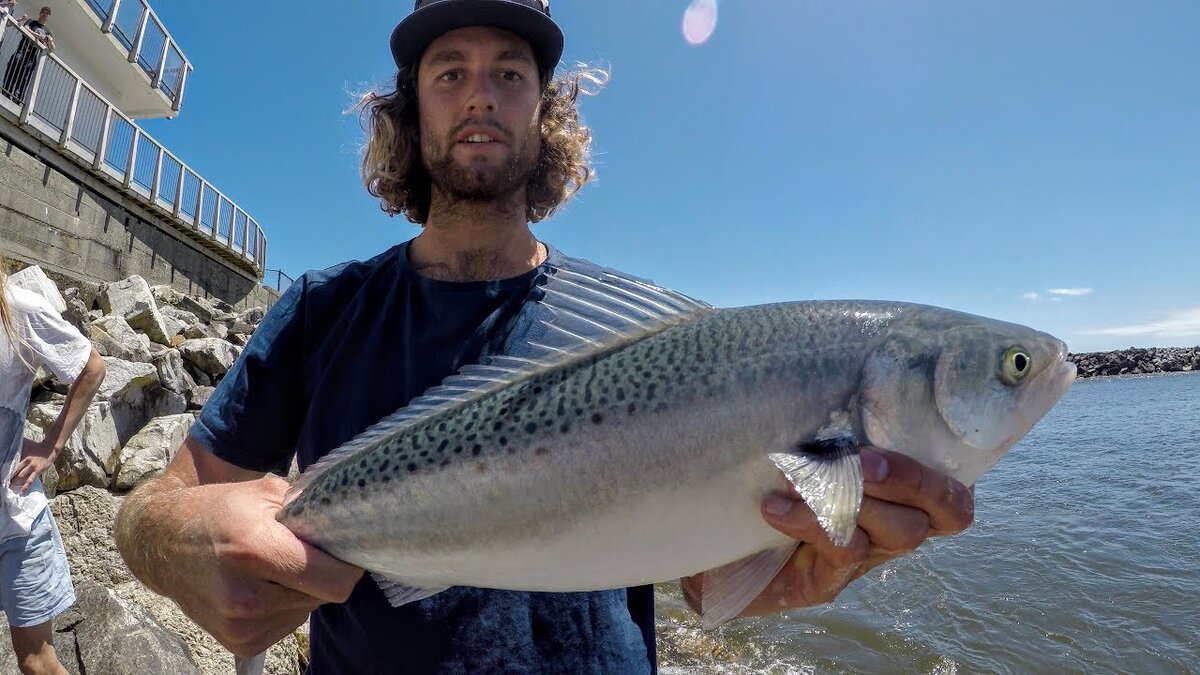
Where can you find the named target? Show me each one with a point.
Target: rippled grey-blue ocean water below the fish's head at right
(1084, 558)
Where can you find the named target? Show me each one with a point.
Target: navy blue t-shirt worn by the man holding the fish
(347, 347)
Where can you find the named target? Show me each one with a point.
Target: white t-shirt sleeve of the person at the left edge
(51, 342)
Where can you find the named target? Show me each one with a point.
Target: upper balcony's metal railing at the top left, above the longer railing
(147, 44)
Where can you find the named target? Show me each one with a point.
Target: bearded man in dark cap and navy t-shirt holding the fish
(475, 144)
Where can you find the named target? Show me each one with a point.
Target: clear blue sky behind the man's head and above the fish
(1036, 162)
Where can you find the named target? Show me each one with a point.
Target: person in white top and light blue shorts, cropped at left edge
(35, 581)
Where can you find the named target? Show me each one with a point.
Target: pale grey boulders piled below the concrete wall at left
(165, 353)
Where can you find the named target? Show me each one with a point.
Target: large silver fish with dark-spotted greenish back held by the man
(639, 440)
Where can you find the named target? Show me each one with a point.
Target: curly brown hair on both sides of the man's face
(394, 172)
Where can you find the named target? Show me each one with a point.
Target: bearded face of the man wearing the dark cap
(478, 93)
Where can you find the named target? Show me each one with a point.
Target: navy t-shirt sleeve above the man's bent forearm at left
(253, 420)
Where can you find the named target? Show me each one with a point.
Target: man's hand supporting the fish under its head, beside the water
(904, 505)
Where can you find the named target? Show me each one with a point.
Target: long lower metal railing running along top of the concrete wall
(52, 100)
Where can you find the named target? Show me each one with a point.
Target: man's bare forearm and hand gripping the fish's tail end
(205, 534)
